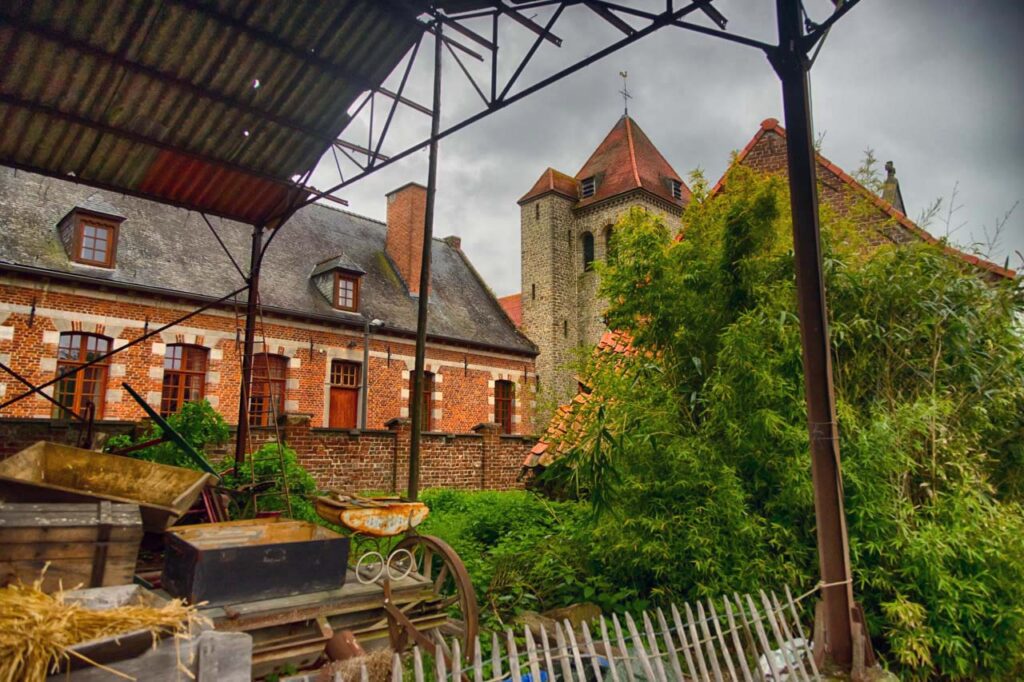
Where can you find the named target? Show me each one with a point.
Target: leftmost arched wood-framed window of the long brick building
(76, 390)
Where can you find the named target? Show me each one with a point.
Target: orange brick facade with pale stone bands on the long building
(35, 313)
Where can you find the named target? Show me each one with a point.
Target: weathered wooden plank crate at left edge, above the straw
(86, 544)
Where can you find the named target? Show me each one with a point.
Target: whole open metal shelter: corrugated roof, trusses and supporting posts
(227, 108)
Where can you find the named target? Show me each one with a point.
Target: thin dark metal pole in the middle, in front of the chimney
(421, 319)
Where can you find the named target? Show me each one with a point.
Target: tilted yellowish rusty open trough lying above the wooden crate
(52, 473)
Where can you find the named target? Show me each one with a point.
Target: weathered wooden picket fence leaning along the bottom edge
(753, 640)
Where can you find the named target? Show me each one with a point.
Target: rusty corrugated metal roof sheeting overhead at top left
(160, 100)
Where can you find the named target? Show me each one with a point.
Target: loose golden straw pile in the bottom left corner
(37, 629)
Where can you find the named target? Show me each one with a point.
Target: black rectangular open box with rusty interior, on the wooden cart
(237, 562)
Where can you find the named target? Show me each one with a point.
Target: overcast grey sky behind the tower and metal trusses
(933, 86)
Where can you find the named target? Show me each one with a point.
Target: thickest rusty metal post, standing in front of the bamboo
(791, 64)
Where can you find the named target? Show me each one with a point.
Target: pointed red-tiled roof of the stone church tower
(625, 161)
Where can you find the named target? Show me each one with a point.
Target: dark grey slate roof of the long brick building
(166, 248)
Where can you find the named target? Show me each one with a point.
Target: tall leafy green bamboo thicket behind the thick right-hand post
(697, 444)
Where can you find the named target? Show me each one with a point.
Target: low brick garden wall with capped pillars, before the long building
(372, 460)
